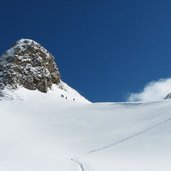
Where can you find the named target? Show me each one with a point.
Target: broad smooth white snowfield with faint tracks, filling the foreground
(46, 133)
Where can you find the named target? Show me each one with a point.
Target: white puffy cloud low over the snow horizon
(155, 90)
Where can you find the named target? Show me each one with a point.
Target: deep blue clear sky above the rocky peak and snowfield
(105, 49)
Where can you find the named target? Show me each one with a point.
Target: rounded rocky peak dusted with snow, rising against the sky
(30, 65)
